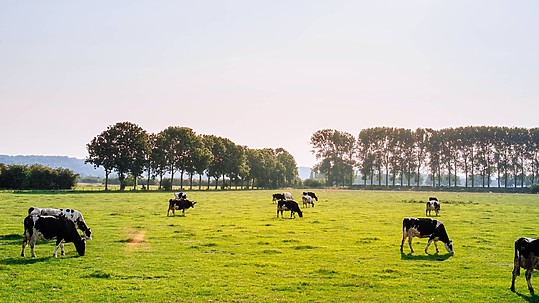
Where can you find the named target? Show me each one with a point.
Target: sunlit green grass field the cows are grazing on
(232, 248)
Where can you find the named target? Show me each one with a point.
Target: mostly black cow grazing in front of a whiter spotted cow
(51, 227)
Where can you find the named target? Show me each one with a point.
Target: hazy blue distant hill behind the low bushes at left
(73, 164)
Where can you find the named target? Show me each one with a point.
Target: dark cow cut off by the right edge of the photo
(527, 257)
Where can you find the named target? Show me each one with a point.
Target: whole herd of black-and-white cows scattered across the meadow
(62, 225)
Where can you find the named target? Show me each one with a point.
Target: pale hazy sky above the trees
(265, 74)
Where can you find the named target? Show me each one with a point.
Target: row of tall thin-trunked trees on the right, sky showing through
(398, 156)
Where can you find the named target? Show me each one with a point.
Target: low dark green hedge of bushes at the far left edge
(36, 177)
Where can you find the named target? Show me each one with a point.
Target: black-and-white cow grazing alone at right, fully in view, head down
(423, 228)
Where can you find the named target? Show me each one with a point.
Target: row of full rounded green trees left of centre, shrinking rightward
(128, 150)
